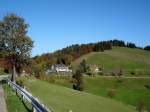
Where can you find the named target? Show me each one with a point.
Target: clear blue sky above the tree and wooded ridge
(55, 24)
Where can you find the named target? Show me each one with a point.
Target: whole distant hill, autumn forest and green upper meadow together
(112, 57)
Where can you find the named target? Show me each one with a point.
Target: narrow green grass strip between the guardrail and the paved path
(14, 104)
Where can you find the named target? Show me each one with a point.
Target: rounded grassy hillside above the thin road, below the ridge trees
(119, 57)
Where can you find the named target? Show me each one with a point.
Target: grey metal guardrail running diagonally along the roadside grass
(36, 105)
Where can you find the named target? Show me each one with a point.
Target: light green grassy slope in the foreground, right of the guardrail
(62, 99)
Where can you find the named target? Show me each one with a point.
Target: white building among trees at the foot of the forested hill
(60, 68)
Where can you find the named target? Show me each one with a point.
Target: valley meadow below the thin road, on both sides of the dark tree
(130, 91)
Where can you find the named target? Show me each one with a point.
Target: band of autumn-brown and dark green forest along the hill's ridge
(71, 53)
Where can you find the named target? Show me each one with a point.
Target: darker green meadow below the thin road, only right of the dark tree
(130, 91)
